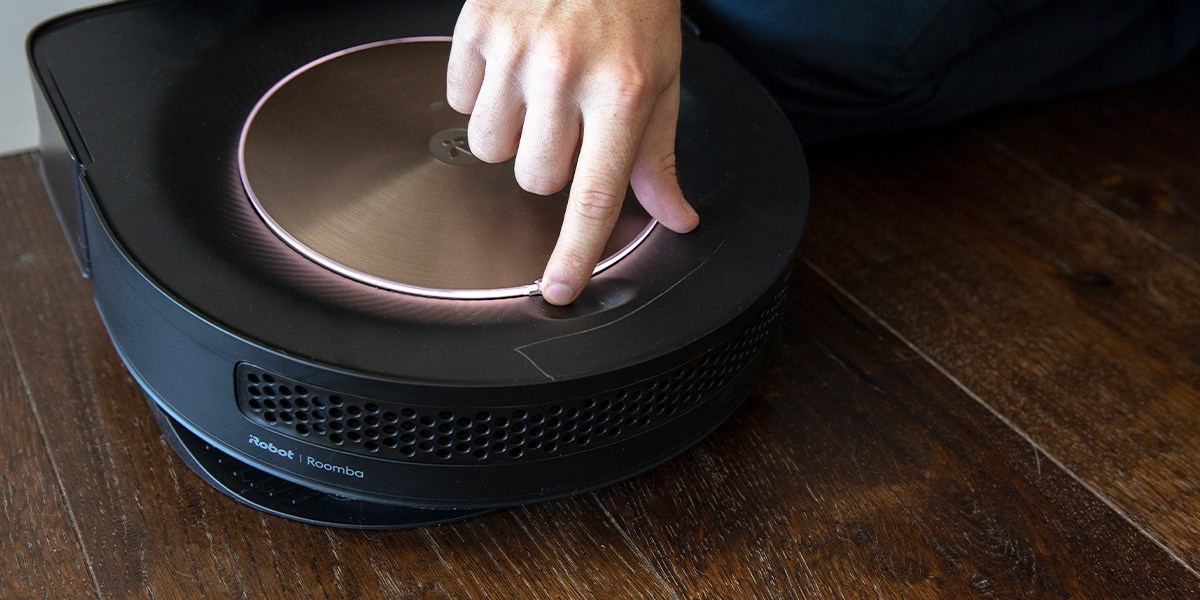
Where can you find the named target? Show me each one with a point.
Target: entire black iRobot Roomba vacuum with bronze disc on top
(331, 304)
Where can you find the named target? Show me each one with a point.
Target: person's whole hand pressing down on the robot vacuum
(544, 80)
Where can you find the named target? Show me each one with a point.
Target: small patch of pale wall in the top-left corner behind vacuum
(19, 122)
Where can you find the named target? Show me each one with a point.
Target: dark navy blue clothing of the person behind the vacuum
(848, 68)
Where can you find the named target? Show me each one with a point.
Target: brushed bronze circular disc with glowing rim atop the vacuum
(357, 163)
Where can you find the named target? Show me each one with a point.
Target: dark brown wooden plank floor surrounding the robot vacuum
(988, 385)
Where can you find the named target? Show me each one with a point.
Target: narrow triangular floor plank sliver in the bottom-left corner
(40, 549)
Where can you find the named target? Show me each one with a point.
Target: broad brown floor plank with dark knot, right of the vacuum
(1069, 320)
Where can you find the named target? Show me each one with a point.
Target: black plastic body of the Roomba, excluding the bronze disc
(140, 110)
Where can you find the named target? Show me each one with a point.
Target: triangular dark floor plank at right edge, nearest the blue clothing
(1132, 151)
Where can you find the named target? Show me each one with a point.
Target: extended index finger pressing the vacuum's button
(609, 147)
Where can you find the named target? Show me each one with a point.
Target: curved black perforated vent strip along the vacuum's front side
(472, 436)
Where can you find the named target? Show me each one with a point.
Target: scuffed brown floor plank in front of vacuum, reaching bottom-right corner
(861, 471)
